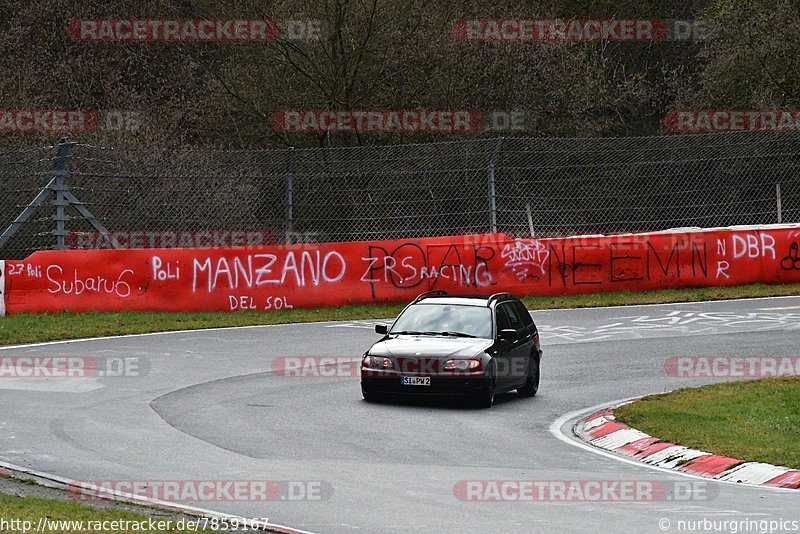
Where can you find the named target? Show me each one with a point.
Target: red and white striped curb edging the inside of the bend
(602, 430)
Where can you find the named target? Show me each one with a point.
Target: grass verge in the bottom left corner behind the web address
(67, 518)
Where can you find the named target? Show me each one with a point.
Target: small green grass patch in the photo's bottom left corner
(32, 508)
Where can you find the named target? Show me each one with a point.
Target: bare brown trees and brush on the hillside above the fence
(390, 54)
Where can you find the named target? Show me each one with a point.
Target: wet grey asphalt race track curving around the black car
(208, 407)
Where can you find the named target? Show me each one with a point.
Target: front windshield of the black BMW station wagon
(445, 319)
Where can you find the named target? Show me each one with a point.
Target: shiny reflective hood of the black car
(430, 346)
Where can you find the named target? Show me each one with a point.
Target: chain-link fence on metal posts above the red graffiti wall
(69, 195)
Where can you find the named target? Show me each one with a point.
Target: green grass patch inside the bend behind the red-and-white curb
(755, 421)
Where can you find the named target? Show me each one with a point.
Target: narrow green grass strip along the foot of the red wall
(29, 328)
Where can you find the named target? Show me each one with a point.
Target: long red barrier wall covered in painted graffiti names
(333, 274)
